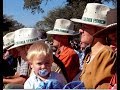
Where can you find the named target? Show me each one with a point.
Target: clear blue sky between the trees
(15, 8)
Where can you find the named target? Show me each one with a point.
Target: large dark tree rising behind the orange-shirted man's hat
(72, 10)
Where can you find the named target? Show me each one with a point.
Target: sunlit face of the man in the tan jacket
(86, 33)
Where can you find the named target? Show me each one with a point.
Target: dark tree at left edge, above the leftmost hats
(10, 24)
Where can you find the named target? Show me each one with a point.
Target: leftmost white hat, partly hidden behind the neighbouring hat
(8, 40)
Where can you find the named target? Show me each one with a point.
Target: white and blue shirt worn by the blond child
(54, 81)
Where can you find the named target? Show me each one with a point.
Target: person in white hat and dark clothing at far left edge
(9, 61)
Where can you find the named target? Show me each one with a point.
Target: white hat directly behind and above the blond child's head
(25, 36)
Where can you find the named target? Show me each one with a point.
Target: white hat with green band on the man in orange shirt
(63, 27)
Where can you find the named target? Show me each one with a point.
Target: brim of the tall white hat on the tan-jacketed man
(85, 22)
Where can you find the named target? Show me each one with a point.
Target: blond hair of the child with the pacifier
(39, 48)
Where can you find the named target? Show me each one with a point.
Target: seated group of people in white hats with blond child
(93, 67)
